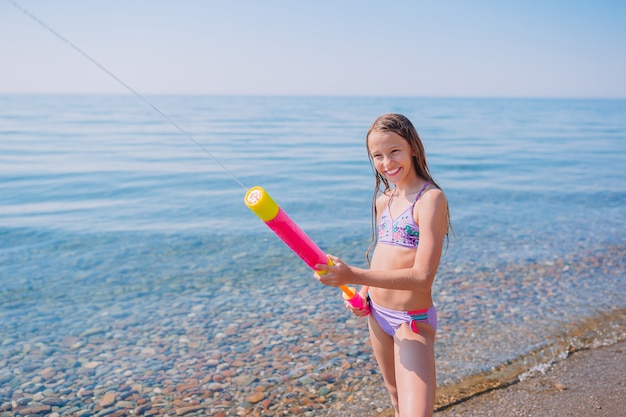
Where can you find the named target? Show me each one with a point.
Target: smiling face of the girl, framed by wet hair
(392, 156)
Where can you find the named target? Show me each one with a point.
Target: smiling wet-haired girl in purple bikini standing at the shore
(410, 222)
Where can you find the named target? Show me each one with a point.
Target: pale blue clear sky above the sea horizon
(417, 48)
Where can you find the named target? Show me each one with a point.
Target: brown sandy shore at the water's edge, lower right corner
(560, 390)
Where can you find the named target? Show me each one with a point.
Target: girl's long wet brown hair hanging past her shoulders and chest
(402, 126)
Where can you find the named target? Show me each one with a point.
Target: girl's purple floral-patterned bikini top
(403, 231)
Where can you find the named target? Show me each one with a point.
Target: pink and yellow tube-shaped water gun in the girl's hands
(261, 204)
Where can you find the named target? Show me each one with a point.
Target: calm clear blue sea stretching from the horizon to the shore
(119, 224)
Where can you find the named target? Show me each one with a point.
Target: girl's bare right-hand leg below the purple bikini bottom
(415, 369)
